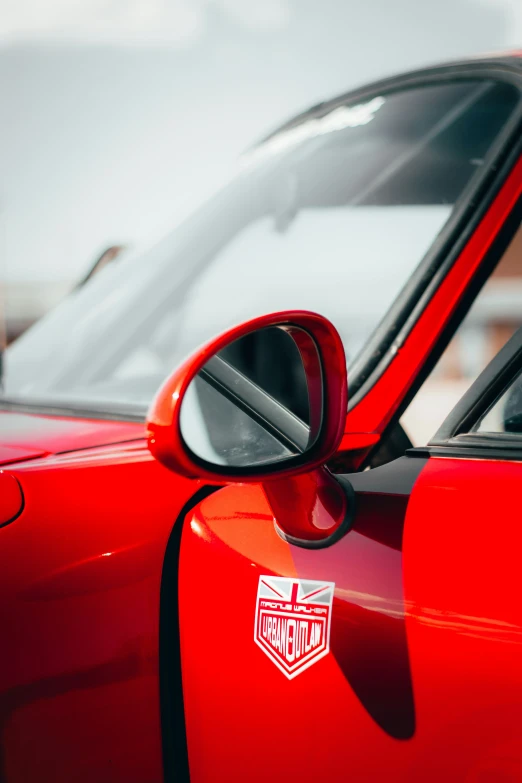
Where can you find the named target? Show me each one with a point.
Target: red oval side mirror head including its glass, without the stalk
(265, 399)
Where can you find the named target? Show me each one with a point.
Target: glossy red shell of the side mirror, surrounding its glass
(163, 419)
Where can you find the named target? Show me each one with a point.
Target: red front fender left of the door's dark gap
(79, 608)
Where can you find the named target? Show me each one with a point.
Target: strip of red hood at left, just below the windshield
(25, 436)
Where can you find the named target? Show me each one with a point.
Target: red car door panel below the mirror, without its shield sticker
(423, 680)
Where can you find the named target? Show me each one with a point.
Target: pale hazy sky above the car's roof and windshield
(121, 115)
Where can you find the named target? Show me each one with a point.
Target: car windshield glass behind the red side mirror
(332, 215)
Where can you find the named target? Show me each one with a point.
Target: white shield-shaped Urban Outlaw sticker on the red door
(292, 624)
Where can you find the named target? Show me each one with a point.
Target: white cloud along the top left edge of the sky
(129, 22)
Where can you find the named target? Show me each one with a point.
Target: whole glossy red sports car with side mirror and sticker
(250, 575)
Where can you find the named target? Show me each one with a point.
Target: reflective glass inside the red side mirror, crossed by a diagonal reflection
(258, 401)
